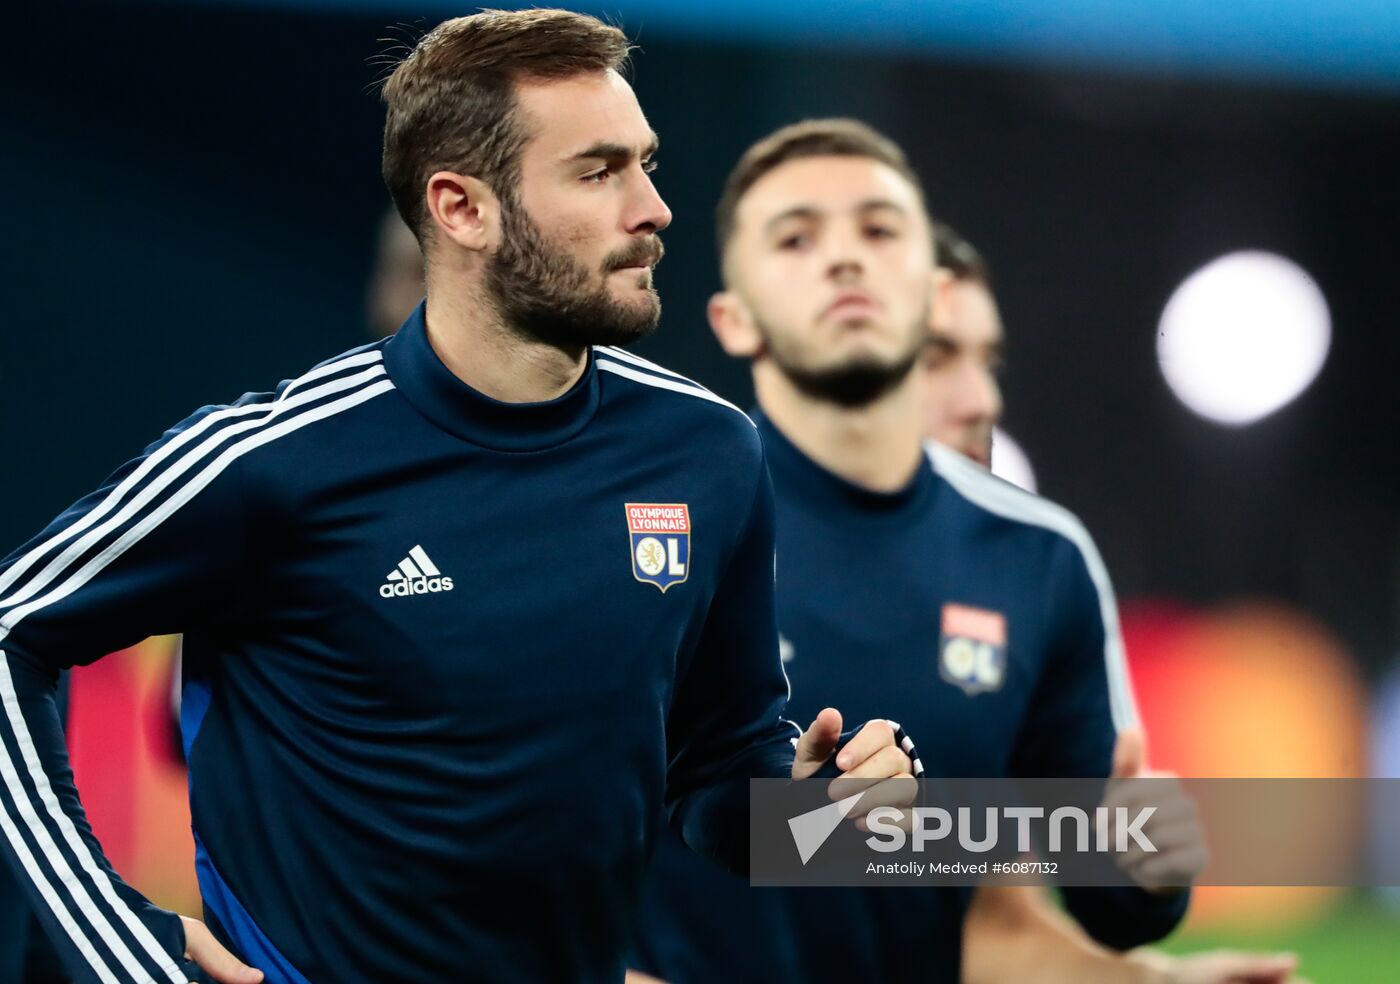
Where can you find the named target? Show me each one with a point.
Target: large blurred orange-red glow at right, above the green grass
(1249, 691)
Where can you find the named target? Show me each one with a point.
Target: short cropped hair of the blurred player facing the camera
(813, 138)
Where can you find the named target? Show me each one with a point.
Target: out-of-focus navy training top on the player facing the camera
(982, 619)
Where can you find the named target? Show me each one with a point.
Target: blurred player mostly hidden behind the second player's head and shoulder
(1016, 933)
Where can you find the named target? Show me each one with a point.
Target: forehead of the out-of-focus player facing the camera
(822, 188)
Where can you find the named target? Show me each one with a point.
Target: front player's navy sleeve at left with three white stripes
(155, 551)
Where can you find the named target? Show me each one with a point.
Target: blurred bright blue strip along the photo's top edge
(1352, 44)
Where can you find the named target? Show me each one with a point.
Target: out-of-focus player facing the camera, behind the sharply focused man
(890, 562)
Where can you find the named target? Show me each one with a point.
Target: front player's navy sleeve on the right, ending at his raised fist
(726, 722)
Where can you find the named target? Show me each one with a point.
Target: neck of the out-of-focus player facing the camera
(877, 447)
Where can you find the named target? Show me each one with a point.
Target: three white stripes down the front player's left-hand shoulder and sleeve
(12, 708)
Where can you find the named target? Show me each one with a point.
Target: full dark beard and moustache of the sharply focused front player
(547, 296)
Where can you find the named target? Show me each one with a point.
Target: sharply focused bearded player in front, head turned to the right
(460, 608)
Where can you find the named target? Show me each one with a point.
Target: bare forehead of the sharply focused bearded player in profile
(572, 117)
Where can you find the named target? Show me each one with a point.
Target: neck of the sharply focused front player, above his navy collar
(470, 337)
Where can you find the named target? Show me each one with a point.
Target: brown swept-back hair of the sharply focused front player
(451, 101)
